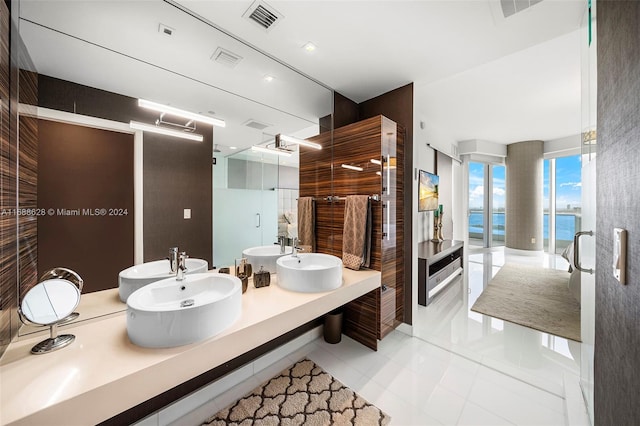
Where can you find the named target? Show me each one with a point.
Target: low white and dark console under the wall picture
(438, 264)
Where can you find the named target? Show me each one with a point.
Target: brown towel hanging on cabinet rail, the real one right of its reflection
(356, 236)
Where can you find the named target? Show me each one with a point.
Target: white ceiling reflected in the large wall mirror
(118, 46)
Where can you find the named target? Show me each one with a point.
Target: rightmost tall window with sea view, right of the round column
(562, 205)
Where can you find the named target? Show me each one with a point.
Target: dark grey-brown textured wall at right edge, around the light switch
(617, 322)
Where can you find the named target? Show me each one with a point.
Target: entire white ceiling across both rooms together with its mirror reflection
(476, 75)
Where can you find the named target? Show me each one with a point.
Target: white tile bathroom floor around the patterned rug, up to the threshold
(416, 383)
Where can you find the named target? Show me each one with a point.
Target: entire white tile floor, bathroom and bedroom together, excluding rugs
(461, 369)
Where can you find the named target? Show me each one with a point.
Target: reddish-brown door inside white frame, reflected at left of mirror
(86, 170)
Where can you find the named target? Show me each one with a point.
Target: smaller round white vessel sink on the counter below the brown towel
(309, 272)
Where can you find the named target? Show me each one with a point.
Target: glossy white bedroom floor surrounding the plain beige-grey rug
(540, 359)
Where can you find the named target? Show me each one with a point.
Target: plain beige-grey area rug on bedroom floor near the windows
(534, 297)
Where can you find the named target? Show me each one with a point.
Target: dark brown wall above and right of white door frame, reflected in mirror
(177, 173)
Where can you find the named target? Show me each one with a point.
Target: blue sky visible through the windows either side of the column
(568, 184)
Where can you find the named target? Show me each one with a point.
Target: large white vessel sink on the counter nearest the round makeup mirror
(171, 313)
